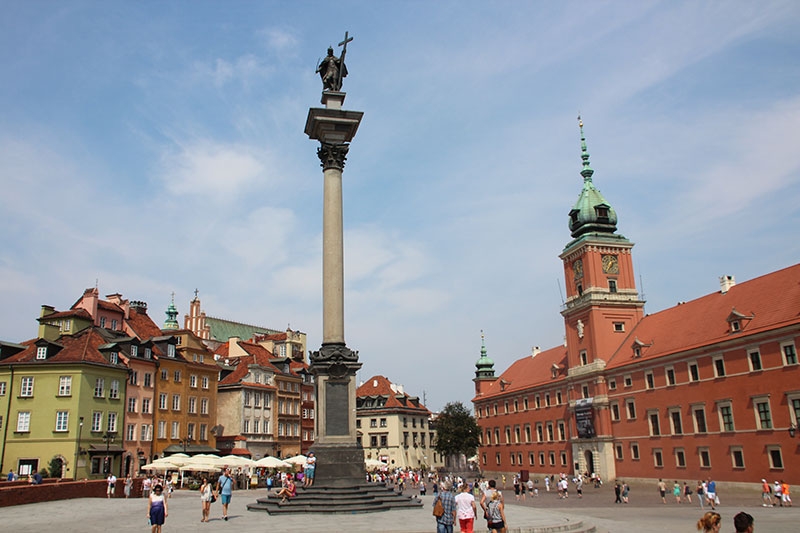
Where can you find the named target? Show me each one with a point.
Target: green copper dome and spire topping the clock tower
(591, 213)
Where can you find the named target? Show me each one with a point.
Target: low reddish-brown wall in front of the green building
(20, 492)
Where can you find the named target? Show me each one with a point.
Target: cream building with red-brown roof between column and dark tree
(393, 427)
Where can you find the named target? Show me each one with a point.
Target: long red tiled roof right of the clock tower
(773, 301)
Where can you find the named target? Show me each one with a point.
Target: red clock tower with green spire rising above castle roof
(602, 301)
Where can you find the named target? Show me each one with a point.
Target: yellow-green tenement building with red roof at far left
(62, 399)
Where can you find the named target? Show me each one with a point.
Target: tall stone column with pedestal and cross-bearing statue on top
(340, 459)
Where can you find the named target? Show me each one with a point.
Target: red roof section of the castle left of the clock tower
(529, 371)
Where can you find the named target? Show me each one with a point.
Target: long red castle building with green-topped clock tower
(706, 386)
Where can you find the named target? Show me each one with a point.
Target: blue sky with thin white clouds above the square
(158, 147)
